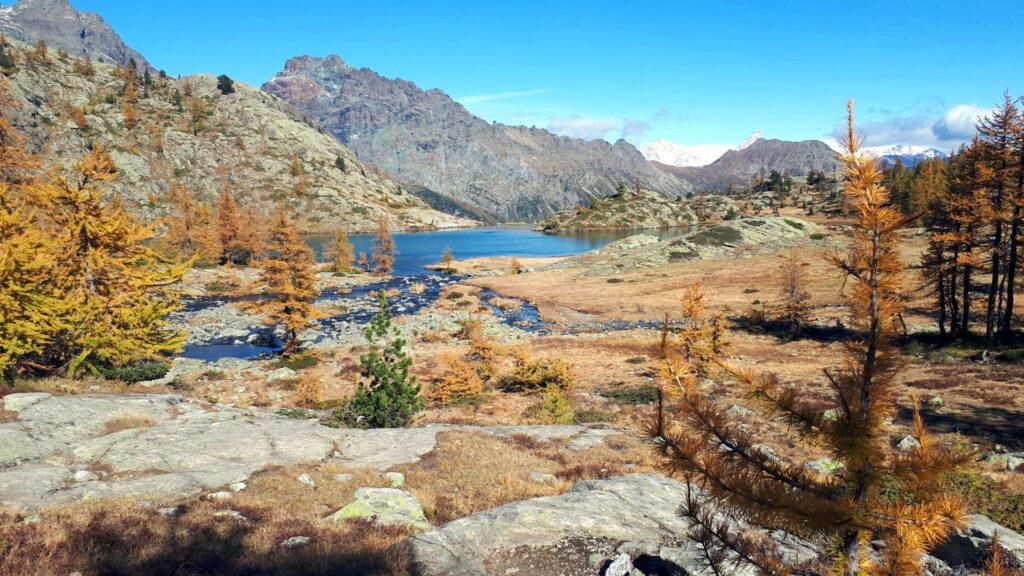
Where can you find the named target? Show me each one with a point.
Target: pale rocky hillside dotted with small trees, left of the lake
(189, 134)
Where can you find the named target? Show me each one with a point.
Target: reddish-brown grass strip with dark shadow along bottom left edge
(135, 542)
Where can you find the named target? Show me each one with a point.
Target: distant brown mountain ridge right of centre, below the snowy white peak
(738, 167)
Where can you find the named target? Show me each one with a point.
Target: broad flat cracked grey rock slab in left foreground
(185, 447)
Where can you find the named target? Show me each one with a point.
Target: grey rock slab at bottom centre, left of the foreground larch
(581, 532)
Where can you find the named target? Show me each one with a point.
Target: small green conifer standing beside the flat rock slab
(388, 396)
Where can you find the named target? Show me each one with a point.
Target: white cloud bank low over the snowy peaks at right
(946, 133)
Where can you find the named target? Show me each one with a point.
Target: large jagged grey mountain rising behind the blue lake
(423, 137)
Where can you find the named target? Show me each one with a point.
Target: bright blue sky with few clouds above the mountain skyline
(707, 72)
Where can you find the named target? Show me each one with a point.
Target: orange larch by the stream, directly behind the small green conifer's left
(289, 279)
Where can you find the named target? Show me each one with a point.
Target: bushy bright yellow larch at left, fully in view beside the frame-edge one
(116, 286)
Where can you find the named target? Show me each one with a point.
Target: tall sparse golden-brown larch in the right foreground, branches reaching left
(700, 438)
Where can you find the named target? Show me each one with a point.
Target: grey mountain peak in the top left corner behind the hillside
(57, 22)
